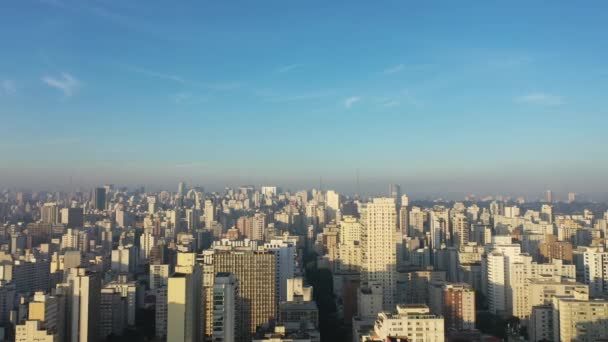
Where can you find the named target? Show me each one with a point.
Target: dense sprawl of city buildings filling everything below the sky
(240, 265)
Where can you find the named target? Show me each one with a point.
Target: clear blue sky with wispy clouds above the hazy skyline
(439, 96)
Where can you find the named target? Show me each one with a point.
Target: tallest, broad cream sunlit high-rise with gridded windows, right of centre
(379, 262)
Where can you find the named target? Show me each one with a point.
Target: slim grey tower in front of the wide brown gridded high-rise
(226, 326)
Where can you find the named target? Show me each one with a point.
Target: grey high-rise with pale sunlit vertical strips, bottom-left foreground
(83, 302)
